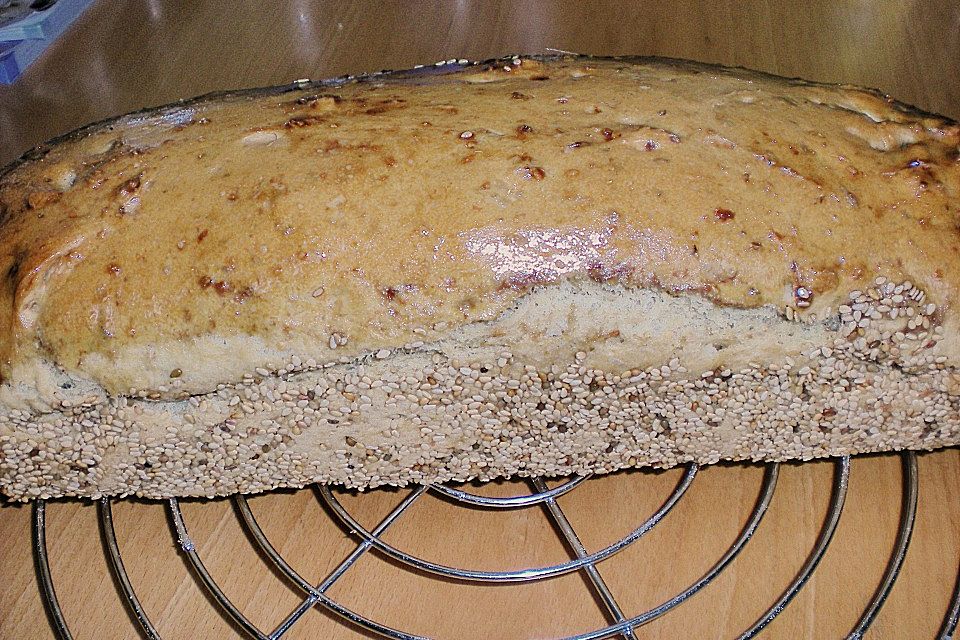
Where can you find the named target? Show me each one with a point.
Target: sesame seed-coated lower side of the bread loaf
(421, 415)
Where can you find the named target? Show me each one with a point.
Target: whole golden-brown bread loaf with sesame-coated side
(531, 266)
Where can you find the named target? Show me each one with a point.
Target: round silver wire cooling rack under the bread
(620, 625)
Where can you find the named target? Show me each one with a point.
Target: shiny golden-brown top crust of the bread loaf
(169, 251)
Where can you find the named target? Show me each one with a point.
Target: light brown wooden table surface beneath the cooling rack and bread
(122, 56)
